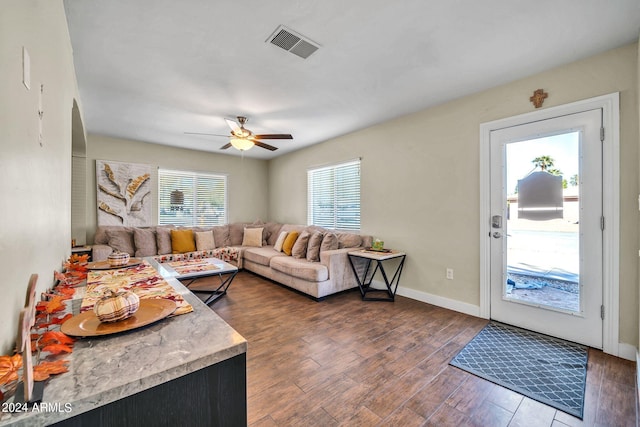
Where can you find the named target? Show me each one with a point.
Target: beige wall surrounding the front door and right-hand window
(420, 173)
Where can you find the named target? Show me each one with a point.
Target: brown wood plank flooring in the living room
(345, 362)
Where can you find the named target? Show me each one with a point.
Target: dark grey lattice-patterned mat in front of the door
(546, 369)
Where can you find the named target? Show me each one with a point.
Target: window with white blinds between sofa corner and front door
(334, 196)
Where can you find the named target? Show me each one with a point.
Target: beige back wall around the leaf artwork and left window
(248, 192)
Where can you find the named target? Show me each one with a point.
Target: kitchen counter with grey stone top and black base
(105, 372)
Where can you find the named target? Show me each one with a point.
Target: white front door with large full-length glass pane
(546, 263)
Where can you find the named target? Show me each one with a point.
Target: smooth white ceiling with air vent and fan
(151, 70)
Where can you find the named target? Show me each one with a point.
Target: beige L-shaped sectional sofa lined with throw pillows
(318, 265)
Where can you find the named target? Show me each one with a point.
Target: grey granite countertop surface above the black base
(108, 368)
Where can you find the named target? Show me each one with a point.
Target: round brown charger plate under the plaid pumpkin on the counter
(87, 324)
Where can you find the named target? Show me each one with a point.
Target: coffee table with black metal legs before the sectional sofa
(188, 271)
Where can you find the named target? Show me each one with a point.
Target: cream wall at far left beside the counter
(35, 187)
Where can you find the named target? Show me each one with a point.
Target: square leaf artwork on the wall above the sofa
(122, 193)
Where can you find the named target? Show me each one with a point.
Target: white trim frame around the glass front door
(610, 105)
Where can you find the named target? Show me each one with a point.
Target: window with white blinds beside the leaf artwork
(191, 199)
